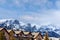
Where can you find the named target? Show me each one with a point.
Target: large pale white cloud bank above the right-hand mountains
(49, 17)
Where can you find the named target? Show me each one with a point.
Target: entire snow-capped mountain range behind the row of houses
(18, 25)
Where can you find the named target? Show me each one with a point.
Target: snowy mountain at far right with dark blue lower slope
(50, 28)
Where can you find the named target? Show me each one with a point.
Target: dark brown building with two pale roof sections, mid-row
(22, 35)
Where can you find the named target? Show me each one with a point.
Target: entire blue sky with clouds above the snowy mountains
(41, 12)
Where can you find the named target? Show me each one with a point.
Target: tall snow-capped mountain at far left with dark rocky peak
(10, 24)
